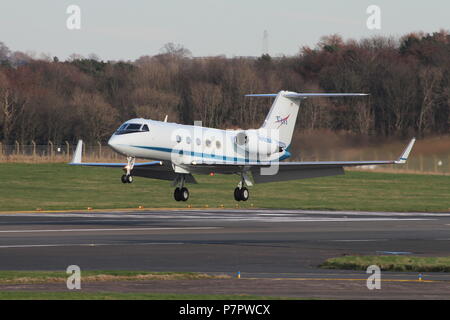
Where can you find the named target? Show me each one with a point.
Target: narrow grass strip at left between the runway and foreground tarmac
(29, 277)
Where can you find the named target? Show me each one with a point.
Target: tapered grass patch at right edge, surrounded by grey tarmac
(390, 263)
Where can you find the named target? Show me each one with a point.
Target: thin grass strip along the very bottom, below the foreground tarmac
(79, 295)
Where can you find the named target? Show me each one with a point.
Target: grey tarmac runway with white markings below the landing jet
(270, 244)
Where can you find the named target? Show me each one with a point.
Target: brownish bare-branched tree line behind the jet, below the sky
(408, 79)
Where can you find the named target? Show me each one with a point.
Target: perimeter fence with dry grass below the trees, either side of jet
(420, 163)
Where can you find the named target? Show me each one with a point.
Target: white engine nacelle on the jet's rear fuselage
(251, 142)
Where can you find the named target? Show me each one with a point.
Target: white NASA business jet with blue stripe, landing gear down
(255, 155)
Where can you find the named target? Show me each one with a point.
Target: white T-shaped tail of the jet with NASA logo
(283, 113)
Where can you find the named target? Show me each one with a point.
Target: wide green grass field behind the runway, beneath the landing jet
(60, 186)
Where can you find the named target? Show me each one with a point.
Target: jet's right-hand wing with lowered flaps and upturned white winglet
(283, 171)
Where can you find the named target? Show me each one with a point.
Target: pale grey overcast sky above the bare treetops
(126, 30)
